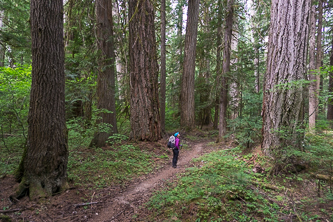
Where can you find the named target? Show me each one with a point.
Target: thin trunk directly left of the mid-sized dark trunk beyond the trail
(218, 65)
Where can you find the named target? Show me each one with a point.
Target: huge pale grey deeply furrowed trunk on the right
(286, 63)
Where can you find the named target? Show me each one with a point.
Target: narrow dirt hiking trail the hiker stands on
(124, 206)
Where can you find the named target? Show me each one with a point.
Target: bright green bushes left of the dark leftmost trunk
(15, 86)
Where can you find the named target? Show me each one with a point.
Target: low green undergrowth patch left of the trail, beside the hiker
(113, 165)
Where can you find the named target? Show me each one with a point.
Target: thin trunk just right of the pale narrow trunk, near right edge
(319, 52)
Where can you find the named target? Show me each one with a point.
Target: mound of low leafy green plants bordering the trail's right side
(217, 189)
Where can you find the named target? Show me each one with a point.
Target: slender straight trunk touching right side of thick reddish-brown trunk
(163, 67)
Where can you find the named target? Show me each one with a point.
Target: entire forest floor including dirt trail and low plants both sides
(220, 183)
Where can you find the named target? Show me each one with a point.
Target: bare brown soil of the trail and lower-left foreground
(123, 202)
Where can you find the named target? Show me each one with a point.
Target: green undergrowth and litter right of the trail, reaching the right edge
(223, 187)
